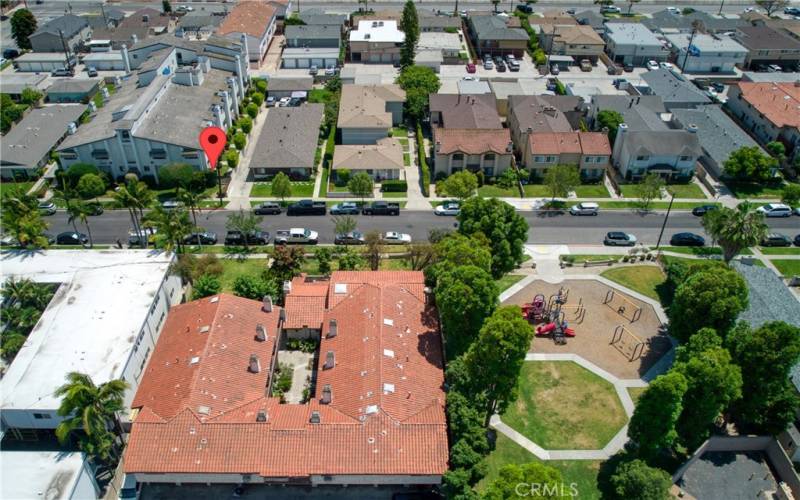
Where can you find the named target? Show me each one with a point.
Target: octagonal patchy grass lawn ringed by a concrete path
(562, 406)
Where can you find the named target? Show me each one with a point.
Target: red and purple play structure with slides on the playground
(552, 314)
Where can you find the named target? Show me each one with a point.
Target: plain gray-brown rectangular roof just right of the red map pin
(288, 142)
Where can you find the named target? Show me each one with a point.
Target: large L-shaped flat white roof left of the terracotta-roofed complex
(90, 324)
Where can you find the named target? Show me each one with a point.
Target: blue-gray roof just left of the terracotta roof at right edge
(719, 136)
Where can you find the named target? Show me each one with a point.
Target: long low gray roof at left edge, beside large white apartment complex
(26, 147)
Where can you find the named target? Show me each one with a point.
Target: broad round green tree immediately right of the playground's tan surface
(708, 298)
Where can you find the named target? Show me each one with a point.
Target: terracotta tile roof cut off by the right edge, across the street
(778, 102)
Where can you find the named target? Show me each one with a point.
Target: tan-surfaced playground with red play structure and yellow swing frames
(616, 332)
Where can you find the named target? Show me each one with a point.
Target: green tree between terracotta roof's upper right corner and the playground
(465, 295)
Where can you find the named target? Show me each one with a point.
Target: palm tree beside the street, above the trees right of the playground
(735, 229)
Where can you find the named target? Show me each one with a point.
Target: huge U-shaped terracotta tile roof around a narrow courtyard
(388, 354)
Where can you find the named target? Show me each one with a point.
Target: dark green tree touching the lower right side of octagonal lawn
(652, 426)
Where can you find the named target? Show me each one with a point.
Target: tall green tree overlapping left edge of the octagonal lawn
(495, 359)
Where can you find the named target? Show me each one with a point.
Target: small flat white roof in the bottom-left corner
(39, 474)
